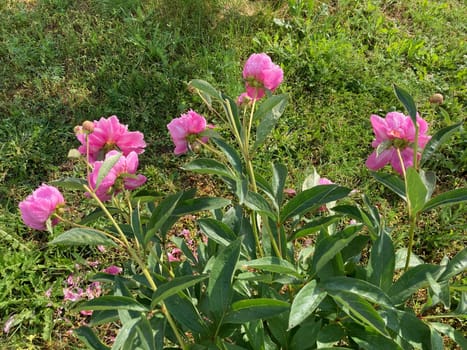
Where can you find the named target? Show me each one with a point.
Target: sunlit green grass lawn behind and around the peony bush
(64, 61)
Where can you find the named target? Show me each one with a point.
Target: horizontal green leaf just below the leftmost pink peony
(82, 236)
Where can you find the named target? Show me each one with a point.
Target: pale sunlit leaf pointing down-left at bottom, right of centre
(305, 303)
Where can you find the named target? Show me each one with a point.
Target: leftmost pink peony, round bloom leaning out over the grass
(38, 207)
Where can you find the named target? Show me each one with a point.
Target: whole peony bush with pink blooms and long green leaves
(246, 282)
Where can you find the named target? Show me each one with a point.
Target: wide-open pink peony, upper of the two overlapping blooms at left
(106, 135)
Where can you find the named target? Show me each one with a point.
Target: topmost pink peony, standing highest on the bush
(261, 73)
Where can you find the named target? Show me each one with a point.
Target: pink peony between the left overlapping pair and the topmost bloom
(185, 129)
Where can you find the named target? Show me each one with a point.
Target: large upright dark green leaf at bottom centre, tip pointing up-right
(220, 289)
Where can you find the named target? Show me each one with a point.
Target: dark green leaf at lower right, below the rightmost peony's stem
(411, 281)
